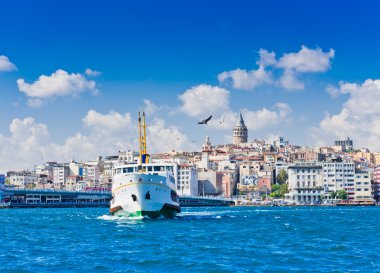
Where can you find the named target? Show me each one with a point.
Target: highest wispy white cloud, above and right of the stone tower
(289, 66)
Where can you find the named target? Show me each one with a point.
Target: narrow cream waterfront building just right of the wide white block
(363, 188)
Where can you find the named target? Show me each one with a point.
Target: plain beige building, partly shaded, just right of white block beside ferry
(210, 182)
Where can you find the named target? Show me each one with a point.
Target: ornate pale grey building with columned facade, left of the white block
(305, 183)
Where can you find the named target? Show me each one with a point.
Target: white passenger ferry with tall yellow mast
(144, 189)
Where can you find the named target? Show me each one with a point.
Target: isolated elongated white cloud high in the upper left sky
(59, 83)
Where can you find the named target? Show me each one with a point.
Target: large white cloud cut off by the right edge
(359, 117)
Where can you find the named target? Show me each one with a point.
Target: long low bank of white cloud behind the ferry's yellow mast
(30, 143)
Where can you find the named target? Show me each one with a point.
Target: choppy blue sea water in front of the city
(222, 239)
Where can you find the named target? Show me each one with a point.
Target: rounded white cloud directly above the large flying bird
(204, 100)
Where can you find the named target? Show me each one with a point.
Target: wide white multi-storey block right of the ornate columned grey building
(339, 176)
